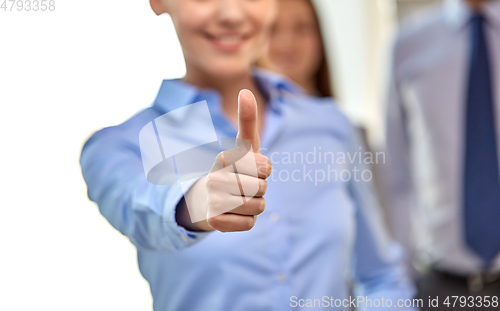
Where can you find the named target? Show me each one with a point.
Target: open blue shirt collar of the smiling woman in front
(176, 93)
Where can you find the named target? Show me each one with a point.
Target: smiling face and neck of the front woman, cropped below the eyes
(219, 38)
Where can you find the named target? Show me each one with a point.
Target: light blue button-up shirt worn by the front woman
(321, 222)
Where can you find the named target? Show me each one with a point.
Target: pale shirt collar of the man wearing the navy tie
(458, 13)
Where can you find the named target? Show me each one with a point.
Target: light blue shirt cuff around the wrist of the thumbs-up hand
(179, 236)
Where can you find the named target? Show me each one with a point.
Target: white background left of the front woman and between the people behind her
(67, 73)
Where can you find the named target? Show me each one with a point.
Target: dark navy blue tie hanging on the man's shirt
(481, 178)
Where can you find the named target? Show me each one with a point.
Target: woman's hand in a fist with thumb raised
(238, 176)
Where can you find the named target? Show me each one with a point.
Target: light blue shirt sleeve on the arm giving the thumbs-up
(144, 212)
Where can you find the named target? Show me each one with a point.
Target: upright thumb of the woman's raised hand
(247, 119)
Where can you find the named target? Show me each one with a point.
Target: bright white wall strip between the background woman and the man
(359, 33)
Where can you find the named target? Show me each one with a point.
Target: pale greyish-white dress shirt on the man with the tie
(426, 133)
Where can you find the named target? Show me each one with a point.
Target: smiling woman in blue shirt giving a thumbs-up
(306, 233)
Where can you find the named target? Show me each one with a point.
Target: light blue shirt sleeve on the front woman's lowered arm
(378, 262)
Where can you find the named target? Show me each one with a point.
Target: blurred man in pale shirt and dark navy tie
(443, 138)
